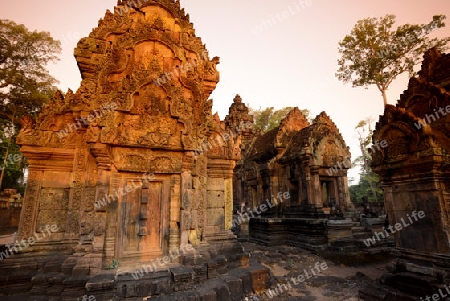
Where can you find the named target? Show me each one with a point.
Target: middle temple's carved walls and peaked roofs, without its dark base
(294, 166)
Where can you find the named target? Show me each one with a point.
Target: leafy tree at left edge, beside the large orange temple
(25, 83)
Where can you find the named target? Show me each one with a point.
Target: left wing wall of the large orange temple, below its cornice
(46, 199)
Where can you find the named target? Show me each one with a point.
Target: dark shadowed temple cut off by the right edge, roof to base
(415, 172)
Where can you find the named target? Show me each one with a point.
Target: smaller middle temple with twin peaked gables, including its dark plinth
(297, 173)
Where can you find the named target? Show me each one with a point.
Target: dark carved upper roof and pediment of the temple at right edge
(419, 125)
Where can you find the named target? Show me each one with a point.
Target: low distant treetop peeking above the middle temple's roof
(268, 118)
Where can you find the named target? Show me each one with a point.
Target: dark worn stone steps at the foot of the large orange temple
(37, 279)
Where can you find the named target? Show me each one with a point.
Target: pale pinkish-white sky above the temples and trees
(273, 53)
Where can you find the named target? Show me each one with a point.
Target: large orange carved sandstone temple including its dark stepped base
(131, 166)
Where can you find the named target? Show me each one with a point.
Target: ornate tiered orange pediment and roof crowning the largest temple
(145, 59)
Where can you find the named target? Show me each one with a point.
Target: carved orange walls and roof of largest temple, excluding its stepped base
(142, 109)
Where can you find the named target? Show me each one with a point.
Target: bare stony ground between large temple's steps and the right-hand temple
(336, 282)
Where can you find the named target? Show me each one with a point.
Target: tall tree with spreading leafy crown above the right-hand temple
(375, 54)
